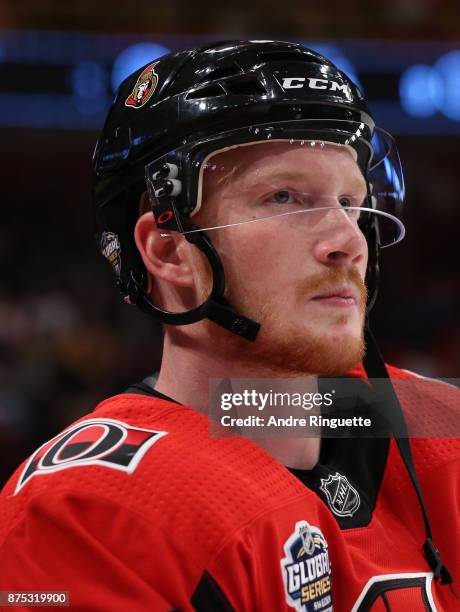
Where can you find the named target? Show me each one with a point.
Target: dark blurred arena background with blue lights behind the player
(66, 340)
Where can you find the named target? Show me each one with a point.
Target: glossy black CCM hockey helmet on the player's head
(170, 115)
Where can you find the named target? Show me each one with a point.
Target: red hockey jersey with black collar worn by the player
(136, 507)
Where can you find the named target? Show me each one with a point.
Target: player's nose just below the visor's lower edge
(340, 240)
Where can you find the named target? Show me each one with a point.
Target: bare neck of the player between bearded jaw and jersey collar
(198, 364)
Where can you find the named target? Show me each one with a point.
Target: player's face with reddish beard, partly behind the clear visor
(300, 275)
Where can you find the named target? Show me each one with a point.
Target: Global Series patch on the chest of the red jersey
(306, 570)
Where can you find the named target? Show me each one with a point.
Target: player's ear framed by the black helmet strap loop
(165, 257)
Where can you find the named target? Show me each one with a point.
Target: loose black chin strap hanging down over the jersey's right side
(376, 370)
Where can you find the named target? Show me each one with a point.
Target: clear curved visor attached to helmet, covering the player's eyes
(300, 183)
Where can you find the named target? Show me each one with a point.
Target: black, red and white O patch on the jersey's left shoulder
(104, 442)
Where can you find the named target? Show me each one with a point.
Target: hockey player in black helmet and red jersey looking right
(243, 201)
